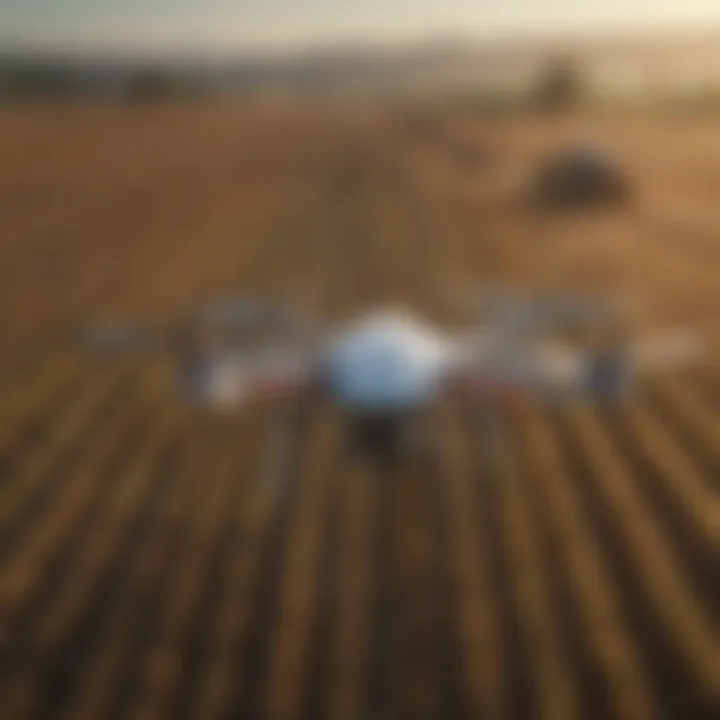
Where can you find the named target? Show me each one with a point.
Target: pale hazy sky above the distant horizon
(257, 24)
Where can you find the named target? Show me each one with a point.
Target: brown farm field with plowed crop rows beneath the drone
(158, 564)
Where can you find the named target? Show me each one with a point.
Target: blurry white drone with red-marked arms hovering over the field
(387, 367)
